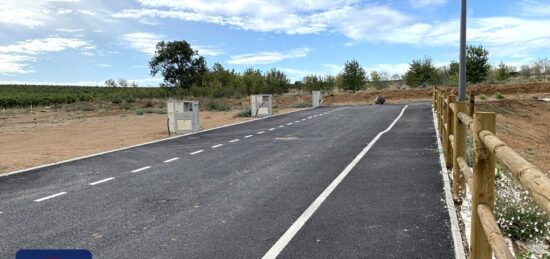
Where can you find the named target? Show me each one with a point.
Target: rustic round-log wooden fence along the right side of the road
(455, 123)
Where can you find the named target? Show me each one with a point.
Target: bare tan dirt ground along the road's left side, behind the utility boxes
(34, 138)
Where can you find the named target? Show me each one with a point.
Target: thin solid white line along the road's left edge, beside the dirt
(146, 143)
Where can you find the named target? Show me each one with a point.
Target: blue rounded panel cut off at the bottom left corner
(53, 254)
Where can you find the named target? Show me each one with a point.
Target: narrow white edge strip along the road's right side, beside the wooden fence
(455, 228)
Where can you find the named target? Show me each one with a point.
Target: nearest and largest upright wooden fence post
(483, 184)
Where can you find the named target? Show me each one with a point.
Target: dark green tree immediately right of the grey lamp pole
(477, 64)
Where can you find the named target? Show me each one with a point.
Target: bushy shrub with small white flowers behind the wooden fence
(516, 213)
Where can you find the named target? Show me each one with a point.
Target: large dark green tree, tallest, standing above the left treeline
(179, 64)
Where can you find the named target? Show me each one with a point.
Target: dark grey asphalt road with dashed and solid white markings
(234, 192)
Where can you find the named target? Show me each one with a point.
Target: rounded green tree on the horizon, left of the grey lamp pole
(421, 73)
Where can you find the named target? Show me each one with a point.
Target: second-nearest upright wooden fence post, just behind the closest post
(460, 136)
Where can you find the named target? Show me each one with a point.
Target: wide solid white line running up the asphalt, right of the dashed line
(283, 241)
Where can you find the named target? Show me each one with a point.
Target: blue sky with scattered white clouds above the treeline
(85, 42)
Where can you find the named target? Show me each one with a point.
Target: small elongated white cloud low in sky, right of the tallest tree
(267, 57)
